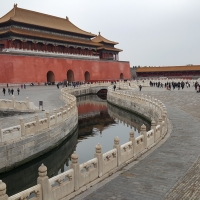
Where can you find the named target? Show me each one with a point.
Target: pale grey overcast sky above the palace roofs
(150, 32)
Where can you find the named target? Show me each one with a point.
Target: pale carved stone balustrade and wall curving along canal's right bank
(82, 176)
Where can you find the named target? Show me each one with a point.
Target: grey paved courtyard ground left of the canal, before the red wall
(48, 94)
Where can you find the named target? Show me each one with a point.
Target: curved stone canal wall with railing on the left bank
(27, 141)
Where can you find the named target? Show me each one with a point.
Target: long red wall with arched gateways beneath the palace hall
(27, 69)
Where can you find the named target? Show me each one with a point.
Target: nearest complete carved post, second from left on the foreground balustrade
(43, 180)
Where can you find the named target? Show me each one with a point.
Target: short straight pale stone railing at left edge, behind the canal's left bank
(17, 105)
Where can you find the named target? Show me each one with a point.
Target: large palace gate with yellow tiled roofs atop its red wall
(36, 47)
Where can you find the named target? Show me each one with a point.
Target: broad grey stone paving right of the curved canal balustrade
(172, 170)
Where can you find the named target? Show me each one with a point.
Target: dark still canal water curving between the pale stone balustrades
(99, 122)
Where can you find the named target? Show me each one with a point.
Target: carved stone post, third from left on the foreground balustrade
(75, 166)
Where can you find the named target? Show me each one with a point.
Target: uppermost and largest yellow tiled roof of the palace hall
(42, 20)
